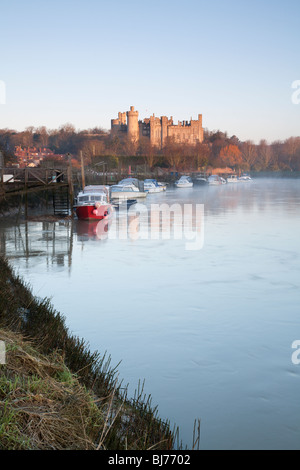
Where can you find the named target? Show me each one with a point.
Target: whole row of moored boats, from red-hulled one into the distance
(97, 202)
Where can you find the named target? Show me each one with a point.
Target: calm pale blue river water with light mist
(209, 330)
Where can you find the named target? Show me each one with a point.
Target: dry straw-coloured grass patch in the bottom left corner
(43, 405)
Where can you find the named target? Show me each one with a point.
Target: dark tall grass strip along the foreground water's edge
(131, 423)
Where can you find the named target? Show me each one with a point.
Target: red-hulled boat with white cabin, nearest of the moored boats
(93, 203)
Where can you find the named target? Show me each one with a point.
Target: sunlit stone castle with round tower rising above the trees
(158, 130)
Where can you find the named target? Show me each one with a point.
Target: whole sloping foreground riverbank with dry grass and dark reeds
(57, 394)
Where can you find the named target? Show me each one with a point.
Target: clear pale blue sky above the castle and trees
(83, 61)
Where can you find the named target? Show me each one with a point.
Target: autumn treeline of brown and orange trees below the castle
(218, 150)
